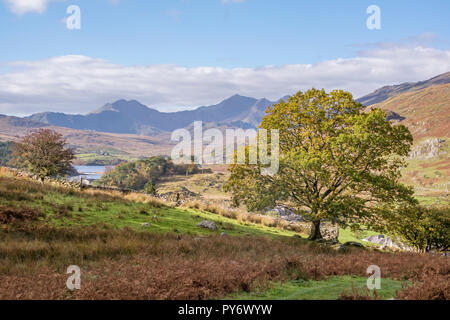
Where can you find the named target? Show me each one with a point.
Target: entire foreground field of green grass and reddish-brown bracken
(44, 229)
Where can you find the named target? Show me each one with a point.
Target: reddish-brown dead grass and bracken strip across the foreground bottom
(129, 265)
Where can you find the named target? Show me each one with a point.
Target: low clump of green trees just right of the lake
(137, 174)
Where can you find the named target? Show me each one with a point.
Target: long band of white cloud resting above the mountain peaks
(79, 84)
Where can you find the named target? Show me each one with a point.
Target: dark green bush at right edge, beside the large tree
(424, 228)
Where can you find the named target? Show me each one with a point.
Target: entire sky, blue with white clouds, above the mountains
(178, 54)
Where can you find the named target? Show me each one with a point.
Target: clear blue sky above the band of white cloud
(210, 32)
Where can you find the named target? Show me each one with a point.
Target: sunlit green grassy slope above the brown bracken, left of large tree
(70, 208)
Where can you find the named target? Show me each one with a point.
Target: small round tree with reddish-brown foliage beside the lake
(44, 153)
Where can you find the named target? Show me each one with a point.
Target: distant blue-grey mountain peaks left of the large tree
(131, 116)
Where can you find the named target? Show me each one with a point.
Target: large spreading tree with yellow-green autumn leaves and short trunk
(338, 162)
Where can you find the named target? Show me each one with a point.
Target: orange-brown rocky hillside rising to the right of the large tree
(426, 113)
